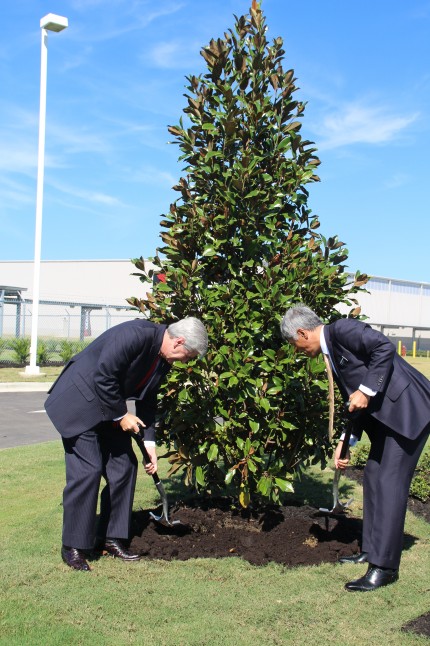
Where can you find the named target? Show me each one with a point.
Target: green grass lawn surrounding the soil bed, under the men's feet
(197, 602)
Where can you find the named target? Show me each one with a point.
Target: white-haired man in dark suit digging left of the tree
(88, 406)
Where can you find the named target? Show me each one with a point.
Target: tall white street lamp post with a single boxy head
(50, 22)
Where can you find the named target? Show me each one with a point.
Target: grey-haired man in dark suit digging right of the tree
(394, 404)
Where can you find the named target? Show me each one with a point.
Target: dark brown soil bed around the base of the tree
(216, 528)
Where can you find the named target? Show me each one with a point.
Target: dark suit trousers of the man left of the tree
(102, 451)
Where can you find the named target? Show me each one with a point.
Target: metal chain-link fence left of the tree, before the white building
(61, 325)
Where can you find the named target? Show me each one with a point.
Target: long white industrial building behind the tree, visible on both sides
(84, 297)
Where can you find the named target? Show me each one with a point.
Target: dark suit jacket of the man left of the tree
(95, 384)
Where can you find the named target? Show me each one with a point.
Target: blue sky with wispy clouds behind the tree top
(116, 80)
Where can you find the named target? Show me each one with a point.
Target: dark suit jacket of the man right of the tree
(365, 356)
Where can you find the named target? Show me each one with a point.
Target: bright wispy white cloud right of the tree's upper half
(357, 124)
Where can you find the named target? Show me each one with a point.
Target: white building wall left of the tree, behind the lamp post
(70, 285)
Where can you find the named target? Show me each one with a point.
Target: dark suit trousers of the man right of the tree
(387, 478)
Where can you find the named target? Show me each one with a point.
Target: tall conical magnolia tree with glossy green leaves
(240, 246)
